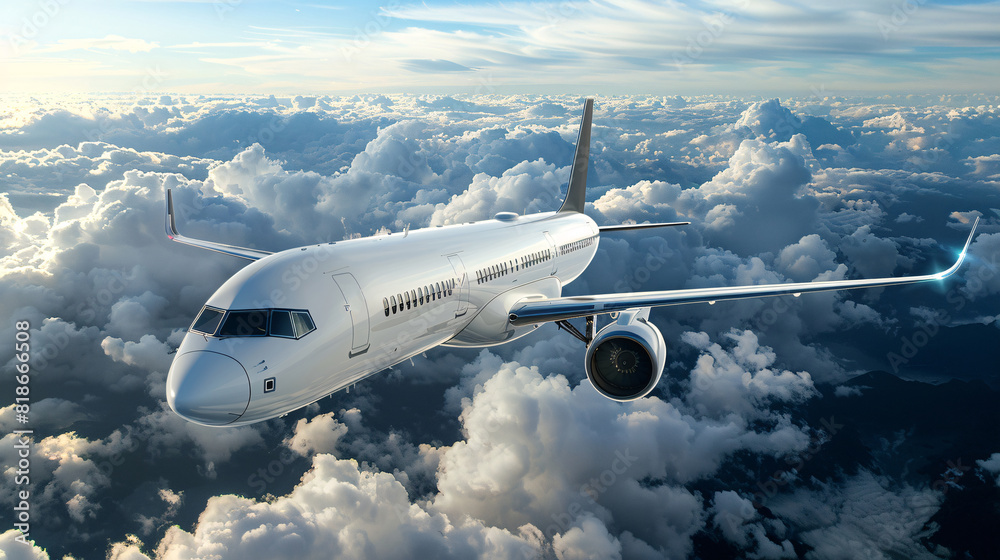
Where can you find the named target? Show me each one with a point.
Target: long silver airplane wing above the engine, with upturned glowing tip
(557, 309)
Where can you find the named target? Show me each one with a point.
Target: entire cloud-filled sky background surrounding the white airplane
(802, 143)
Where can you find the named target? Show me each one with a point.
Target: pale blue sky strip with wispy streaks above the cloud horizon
(603, 46)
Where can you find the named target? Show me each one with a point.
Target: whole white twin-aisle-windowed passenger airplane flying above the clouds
(295, 326)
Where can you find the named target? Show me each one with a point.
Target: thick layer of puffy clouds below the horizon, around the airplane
(506, 452)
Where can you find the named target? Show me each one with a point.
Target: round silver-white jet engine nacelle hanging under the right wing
(625, 360)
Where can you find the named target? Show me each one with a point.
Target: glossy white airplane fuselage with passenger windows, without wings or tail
(375, 302)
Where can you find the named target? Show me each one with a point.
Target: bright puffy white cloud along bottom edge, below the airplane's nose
(339, 511)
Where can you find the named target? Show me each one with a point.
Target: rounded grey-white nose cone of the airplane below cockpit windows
(208, 388)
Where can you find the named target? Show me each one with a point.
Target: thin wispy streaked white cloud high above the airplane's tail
(648, 38)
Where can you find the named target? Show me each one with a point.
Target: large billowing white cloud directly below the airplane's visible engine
(537, 451)
